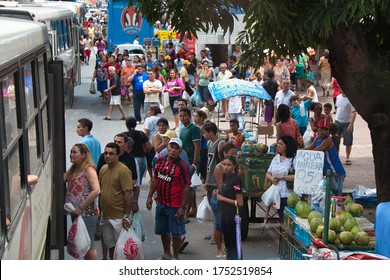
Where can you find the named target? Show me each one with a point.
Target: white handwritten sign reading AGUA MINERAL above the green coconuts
(308, 171)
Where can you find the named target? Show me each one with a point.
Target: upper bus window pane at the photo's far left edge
(9, 105)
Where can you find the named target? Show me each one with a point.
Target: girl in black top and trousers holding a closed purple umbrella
(230, 198)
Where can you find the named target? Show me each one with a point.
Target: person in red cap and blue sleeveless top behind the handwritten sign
(332, 162)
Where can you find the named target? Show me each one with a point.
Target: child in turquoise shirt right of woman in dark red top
(299, 111)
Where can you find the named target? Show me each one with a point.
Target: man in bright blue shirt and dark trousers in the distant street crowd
(137, 79)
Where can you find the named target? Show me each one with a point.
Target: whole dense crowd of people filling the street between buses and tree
(194, 145)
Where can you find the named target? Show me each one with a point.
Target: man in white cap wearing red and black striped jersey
(172, 182)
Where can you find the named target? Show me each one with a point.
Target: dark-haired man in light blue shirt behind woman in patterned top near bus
(84, 127)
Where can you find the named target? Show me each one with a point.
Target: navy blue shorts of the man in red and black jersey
(167, 223)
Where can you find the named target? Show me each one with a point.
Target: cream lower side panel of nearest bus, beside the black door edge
(41, 204)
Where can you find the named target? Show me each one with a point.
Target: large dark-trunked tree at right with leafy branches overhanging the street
(355, 32)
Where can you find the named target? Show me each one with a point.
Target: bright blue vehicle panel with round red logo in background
(124, 23)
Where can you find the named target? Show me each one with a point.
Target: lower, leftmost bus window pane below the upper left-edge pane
(14, 193)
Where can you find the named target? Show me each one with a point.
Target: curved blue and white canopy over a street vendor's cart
(236, 87)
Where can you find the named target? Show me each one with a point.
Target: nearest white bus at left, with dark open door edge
(32, 136)
